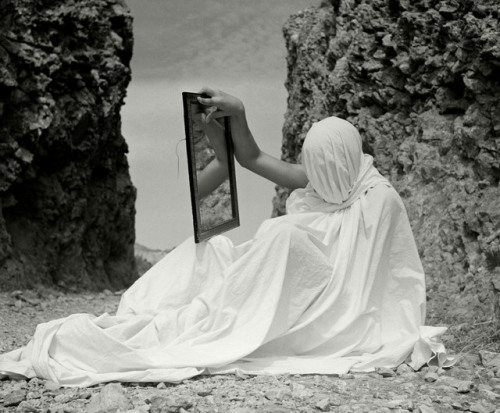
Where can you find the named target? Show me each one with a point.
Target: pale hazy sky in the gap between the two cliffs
(183, 45)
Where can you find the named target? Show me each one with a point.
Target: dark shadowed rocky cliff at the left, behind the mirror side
(66, 199)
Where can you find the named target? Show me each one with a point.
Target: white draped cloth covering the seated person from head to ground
(335, 285)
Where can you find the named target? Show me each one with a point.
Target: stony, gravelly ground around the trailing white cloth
(472, 385)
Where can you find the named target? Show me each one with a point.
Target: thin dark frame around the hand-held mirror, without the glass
(188, 99)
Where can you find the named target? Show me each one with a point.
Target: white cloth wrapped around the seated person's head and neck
(338, 171)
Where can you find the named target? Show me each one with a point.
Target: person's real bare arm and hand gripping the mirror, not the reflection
(246, 150)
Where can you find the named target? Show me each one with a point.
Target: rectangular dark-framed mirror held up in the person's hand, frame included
(211, 171)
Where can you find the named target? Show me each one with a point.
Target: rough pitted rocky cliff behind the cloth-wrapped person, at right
(421, 81)
